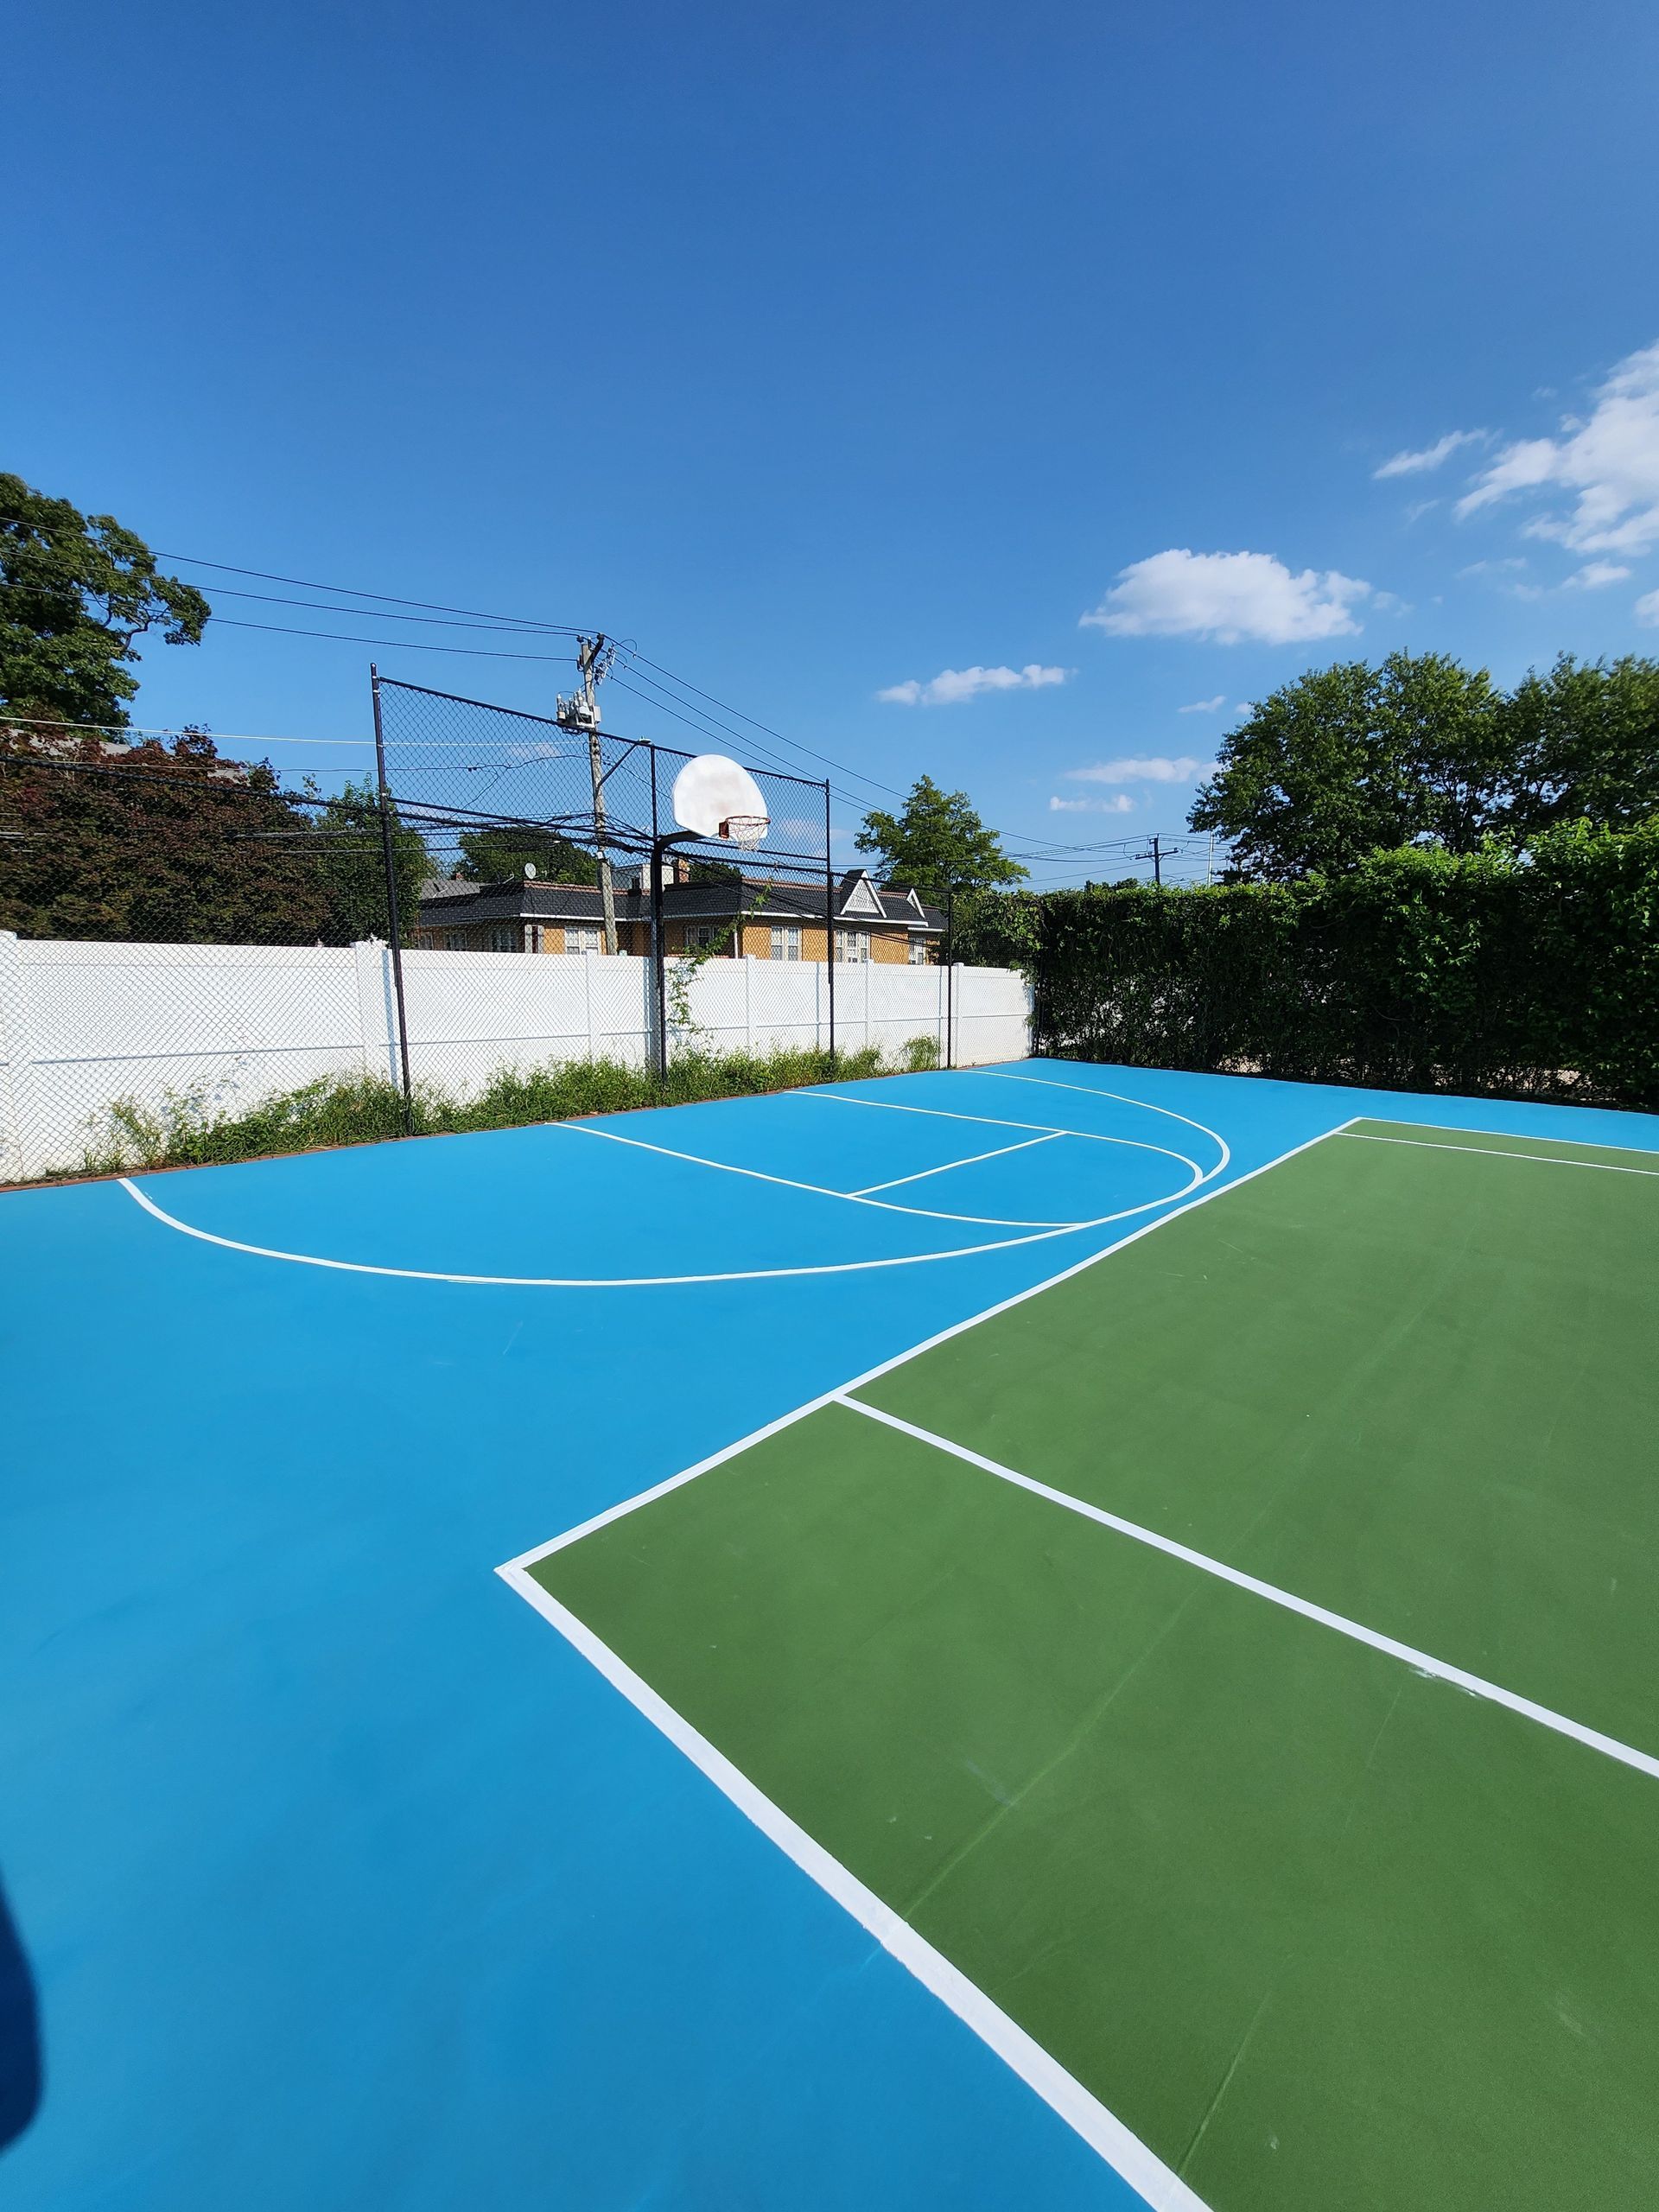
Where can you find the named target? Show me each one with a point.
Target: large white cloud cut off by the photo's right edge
(1611, 461)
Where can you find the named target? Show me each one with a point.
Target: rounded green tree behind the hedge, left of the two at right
(1357, 760)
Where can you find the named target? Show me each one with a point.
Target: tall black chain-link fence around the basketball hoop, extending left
(191, 943)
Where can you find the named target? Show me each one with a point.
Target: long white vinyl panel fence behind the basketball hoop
(85, 1027)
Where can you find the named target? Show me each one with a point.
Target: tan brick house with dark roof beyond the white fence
(780, 921)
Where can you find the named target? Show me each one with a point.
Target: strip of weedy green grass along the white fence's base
(194, 1131)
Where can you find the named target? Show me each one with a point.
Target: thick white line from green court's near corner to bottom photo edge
(1061, 2091)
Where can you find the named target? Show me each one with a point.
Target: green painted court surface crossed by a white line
(1337, 1884)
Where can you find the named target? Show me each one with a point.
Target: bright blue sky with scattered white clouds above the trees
(828, 351)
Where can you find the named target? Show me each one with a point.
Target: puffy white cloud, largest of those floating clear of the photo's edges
(1227, 596)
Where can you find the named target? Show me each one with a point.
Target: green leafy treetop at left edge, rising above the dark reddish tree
(76, 592)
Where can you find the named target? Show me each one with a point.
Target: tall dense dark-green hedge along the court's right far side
(1419, 970)
